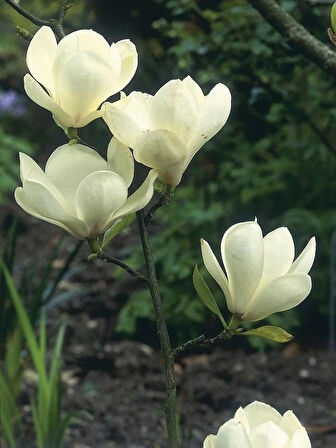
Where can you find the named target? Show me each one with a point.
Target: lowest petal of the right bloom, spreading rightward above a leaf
(281, 294)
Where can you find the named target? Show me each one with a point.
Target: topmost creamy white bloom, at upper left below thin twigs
(77, 74)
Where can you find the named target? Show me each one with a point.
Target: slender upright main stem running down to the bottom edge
(162, 330)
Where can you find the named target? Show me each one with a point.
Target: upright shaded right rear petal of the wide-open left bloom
(120, 160)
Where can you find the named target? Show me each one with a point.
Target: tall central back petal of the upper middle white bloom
(175, 109)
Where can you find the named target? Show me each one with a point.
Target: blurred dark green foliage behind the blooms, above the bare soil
(275, 158)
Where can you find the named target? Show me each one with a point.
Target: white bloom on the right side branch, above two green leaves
(261, 277)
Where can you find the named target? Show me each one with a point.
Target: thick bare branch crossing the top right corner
(296, 35)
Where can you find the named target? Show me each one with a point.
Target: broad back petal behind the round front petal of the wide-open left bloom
(68, 165)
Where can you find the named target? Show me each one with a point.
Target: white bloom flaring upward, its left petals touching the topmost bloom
(167, 129)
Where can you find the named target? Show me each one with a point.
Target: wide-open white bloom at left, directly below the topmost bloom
(80, 191)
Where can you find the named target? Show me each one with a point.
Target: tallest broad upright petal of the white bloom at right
(243, 256)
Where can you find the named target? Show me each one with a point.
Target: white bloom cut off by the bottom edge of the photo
(259, 425)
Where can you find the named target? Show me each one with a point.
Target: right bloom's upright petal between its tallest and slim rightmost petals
(278, 254)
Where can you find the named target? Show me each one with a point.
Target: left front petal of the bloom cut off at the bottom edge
(232, 435)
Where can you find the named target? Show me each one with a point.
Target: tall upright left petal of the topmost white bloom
(40, 57)
